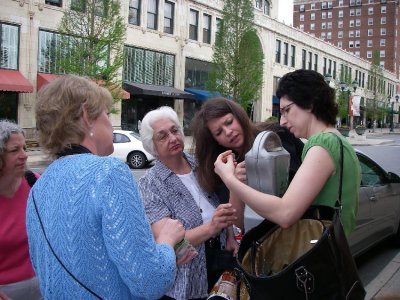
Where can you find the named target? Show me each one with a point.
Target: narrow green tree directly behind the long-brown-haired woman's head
(237, 68)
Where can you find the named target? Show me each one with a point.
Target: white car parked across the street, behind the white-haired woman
(129, 148)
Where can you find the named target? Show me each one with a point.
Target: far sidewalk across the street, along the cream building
(381, 136)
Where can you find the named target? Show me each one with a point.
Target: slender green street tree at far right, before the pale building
(376, 83)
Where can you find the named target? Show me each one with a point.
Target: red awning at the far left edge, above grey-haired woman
(14, 81)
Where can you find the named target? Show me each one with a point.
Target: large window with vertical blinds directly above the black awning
(148, 67)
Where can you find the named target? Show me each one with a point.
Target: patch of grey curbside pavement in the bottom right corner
(385, 285)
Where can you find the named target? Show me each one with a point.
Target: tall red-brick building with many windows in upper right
(358, 26)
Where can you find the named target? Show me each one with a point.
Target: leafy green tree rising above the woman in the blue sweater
(93, 35)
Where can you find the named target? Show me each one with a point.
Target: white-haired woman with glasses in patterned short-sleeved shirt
(170, 190)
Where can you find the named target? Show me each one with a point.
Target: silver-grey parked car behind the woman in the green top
(378, 215)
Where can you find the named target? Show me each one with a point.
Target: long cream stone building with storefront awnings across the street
(167, 57)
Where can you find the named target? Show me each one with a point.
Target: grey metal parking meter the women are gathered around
(267, 170)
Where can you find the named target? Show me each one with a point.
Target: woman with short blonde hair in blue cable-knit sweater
(88, 234)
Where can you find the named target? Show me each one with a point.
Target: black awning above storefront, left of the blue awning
(156, 90)
